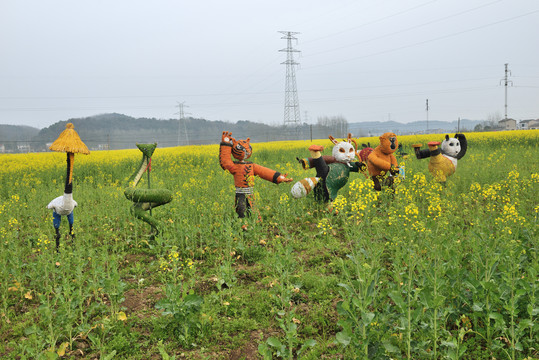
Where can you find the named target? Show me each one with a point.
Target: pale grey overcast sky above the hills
(365, 60)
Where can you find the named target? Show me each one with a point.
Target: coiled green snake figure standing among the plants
(146, 199)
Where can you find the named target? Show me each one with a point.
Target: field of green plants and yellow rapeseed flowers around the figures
(425, 271)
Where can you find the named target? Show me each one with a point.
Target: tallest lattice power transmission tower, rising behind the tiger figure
(291, 105)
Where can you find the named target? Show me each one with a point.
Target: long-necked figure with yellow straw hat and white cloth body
(70, 143)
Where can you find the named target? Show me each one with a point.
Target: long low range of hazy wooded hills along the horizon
(118, 131)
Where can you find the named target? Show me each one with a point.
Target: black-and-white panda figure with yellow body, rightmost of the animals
(443, 159)
